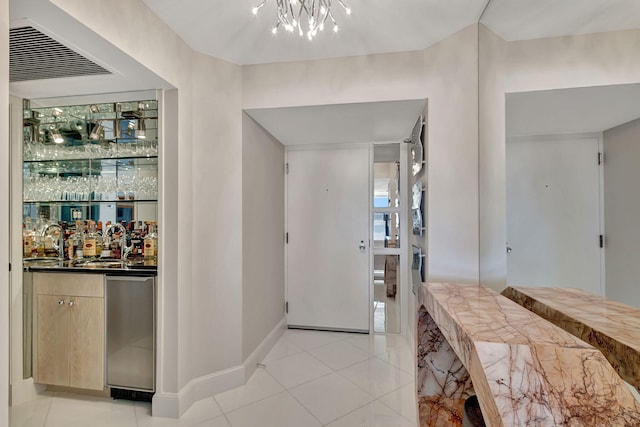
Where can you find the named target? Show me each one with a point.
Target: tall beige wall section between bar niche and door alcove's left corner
(217, 216)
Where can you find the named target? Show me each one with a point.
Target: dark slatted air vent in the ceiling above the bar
(35, 56)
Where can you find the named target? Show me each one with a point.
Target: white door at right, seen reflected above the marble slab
(553, 212)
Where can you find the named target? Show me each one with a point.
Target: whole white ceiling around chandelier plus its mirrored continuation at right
(227, 29)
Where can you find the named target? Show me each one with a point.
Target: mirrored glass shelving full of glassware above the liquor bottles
(93, 161)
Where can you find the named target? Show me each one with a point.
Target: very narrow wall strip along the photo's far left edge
(4, 211)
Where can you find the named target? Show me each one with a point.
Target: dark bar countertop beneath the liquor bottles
(131, 267)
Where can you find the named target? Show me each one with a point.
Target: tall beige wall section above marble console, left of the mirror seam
(451, 86)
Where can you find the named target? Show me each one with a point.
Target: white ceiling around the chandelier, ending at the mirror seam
(227, 29)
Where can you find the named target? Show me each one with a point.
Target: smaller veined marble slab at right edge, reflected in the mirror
(610, 326)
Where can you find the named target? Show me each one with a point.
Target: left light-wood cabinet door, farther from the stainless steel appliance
(53, 340)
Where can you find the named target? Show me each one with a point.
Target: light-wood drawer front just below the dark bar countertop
(83, 285)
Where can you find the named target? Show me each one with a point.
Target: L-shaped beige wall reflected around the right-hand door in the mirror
(541, 64)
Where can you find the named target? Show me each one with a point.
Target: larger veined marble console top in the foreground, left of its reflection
(525, 370)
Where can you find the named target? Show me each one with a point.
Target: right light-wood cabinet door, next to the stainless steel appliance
(86, 343)
